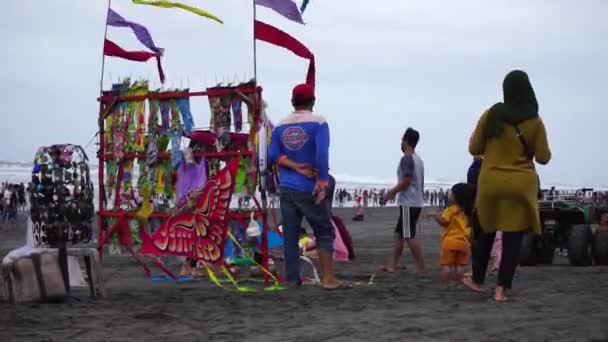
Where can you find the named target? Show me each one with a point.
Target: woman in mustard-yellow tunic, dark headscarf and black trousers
(511, 136)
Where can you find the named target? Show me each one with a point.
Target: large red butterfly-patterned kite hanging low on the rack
(198, 228)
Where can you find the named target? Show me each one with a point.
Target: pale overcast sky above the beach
(382, 66)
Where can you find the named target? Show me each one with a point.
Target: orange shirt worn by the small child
(456, 235)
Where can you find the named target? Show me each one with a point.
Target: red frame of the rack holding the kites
(109, 100)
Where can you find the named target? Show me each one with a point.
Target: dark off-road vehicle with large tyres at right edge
(566, 224)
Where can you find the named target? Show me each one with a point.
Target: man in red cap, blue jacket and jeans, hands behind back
(300, 147)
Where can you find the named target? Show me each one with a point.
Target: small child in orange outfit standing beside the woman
(455, 243)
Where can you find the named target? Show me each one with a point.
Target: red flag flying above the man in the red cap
(273, 35)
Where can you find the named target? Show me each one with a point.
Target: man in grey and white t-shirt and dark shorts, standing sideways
(410, 199)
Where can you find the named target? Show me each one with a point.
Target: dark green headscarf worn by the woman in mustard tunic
(519, 104)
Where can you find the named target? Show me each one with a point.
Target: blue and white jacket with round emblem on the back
(303, 137)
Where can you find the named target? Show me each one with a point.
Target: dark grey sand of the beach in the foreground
(551, 303)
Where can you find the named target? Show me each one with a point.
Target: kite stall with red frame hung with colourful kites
(146, 176)
